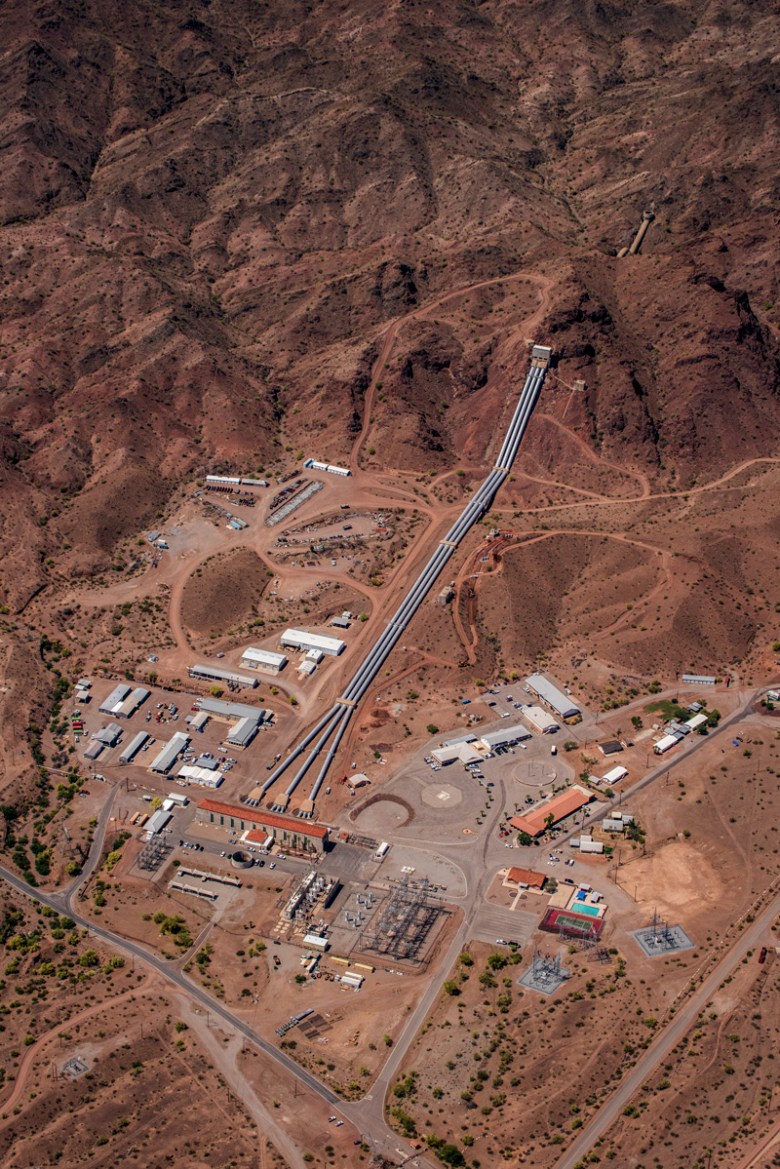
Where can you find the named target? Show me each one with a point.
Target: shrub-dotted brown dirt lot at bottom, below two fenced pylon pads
(533, 1067)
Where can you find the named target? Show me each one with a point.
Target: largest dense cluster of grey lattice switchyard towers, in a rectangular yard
(405, 921)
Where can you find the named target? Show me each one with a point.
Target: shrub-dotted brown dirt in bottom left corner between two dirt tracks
(150, 1094)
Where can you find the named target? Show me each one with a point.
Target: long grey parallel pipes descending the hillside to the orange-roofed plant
(333, 725)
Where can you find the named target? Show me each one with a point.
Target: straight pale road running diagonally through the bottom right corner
(673, 1034)
